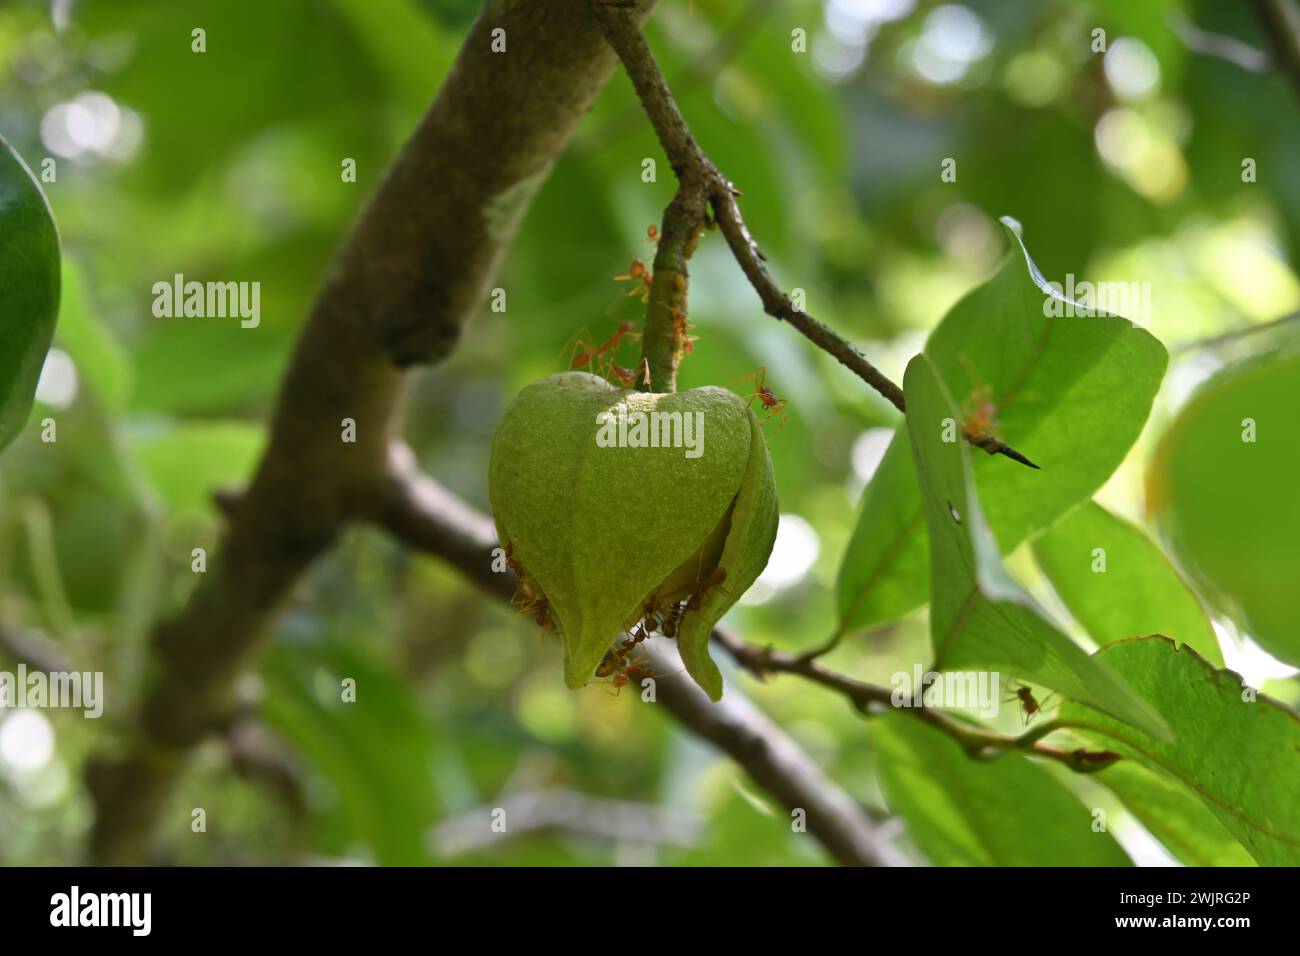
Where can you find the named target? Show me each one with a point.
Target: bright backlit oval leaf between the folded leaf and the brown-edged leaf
(1137, 594)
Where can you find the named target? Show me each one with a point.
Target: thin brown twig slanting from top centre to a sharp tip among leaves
(701, 179)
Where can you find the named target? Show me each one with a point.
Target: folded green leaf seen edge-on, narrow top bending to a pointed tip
(978, 616)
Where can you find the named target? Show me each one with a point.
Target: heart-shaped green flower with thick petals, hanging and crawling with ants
(609, 501)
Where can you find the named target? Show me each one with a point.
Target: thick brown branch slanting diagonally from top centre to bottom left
(414, 270)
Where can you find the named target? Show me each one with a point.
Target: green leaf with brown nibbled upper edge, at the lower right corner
(1241, 758)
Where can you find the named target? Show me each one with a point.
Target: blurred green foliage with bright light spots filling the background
(226, 166)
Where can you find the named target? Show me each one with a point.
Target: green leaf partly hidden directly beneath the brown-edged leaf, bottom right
(1175, 816)
